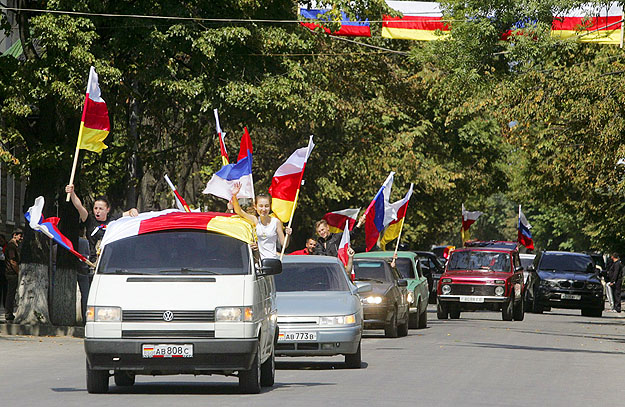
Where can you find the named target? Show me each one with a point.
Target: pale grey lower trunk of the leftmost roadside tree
(33, 295)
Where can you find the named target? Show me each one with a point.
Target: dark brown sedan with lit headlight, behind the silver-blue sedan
(386, 306)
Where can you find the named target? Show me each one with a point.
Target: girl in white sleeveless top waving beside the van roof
(268, 229)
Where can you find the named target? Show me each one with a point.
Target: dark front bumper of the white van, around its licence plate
(209, 355)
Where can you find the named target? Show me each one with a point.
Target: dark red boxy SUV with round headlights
(482, 276)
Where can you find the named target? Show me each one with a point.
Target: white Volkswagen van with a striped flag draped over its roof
(181, 293)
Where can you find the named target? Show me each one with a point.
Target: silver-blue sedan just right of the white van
(319, 309)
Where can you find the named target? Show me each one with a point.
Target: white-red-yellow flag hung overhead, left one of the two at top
(421, 20)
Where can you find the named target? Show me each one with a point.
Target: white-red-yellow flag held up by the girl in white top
(287, 181)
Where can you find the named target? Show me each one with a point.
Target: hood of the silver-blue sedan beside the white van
(315, 303)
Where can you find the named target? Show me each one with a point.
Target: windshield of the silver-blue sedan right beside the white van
(311, 277)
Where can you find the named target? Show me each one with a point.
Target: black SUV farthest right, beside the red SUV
(564, 280)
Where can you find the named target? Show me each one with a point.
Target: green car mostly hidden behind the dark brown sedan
(409, 268)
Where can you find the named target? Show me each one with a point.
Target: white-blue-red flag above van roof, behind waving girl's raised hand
(222, 182)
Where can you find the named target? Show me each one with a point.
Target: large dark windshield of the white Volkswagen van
(176, 252)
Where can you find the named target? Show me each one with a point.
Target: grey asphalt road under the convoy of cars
(555, 359)
